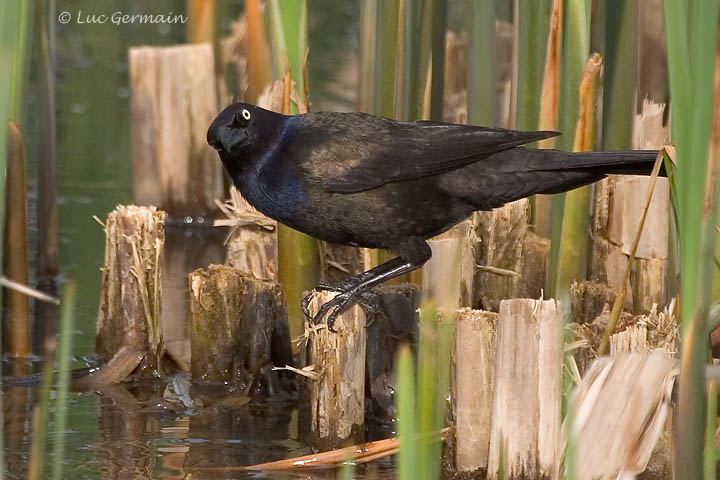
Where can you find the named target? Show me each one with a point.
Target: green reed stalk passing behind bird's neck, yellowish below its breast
(298, 256)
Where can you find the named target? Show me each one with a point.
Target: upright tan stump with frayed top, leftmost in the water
(130, 299)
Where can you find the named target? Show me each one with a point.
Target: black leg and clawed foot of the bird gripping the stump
(413, 253)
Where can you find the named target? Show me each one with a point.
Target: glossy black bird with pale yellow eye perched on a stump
(367, 181)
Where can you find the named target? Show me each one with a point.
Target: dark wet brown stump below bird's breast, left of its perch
(239, 331)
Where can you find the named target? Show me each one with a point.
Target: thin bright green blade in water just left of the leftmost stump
(64, 359)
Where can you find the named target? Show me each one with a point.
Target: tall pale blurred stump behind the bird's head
(173, 100)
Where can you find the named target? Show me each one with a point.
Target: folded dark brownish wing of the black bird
(380, 151)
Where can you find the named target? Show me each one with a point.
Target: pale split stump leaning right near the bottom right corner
(619, 412)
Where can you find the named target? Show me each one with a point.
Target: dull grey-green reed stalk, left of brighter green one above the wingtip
(482, 79)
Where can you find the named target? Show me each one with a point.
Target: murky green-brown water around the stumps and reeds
(141, 431)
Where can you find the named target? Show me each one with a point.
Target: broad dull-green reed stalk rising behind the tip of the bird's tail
(620, 74)
